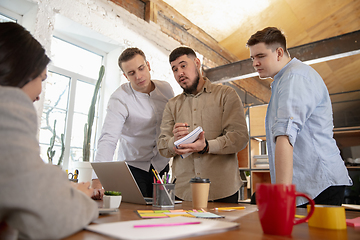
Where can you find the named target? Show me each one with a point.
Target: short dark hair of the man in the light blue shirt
(269, 36)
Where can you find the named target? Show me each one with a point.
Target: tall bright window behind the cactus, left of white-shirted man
(69, 89)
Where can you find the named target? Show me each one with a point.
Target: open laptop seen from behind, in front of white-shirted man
(116, 176)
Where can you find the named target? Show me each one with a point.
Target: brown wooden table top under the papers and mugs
(250, 228)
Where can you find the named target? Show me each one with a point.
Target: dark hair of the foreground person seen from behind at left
(22, 58)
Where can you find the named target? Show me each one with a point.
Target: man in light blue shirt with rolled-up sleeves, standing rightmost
(299, 124)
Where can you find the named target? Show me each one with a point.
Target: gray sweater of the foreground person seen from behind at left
(36, 198)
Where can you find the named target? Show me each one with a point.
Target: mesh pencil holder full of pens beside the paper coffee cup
(163, 195)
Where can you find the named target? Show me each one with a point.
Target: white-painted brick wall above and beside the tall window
(113, 22)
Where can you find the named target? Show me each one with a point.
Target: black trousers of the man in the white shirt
(145, 179)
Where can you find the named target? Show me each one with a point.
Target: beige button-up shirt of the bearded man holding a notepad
(219, 111)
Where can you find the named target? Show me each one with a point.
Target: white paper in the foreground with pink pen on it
(126, 230)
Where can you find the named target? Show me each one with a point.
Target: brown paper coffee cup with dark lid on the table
(200, 192)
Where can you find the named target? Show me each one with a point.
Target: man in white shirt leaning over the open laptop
(133, 118)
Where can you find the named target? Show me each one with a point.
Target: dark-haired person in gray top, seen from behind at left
(37, 199)
